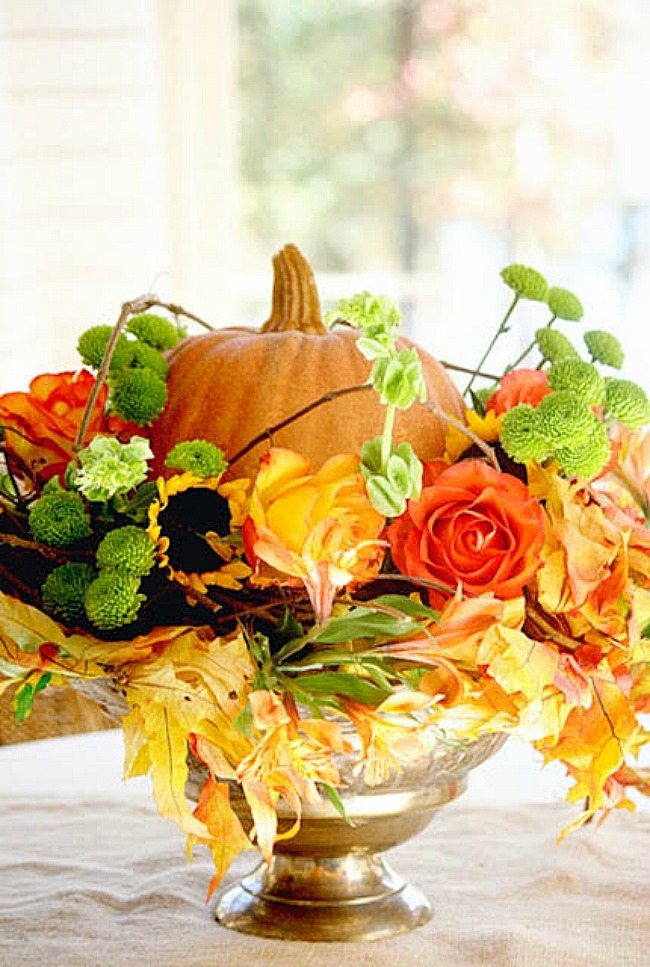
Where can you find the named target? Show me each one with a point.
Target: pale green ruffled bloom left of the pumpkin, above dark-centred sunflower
(108, 468)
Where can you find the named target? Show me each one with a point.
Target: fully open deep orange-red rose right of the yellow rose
(472, 525)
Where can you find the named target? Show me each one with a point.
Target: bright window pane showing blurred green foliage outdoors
(436, 140)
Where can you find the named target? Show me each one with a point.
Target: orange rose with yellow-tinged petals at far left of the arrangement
(41, 425)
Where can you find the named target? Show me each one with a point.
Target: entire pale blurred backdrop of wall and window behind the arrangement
(412, 147)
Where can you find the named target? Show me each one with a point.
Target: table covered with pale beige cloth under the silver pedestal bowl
(91, 876)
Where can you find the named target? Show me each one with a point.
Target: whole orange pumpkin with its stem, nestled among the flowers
(230, 385)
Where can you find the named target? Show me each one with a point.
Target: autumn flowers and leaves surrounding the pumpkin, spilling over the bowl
(504, 587)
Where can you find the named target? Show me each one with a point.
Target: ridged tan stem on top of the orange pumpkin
(295, 297)
